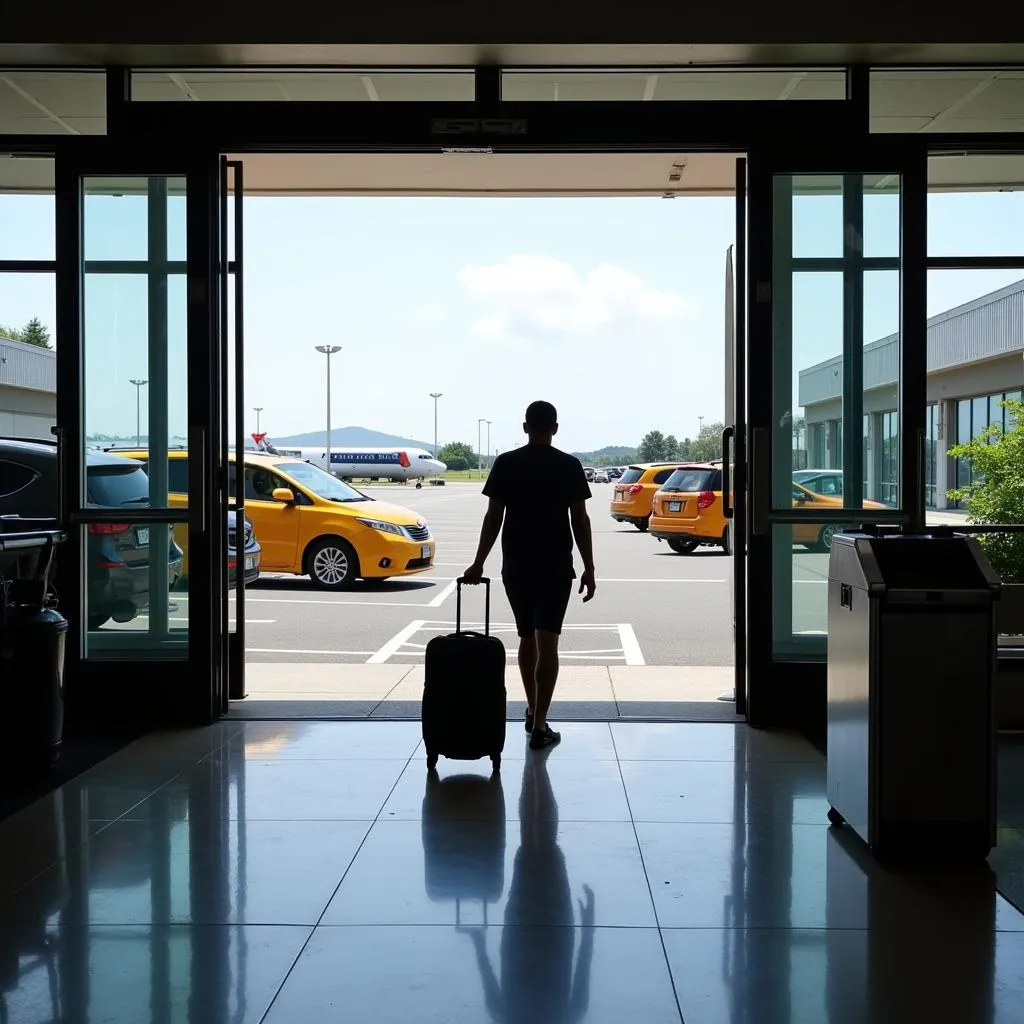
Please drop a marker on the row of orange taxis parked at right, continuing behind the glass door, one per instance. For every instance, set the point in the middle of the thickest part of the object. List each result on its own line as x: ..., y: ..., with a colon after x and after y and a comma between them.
x: 682, y: 504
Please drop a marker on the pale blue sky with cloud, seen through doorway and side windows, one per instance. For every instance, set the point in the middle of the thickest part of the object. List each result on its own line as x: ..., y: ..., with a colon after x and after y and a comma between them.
x: 612, y: 309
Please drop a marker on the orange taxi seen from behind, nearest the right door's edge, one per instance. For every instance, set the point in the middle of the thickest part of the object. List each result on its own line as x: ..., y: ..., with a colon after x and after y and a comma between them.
x: 689, y: 509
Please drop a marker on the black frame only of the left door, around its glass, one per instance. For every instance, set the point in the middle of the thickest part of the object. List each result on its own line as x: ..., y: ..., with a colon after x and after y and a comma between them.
x: 184, y: 691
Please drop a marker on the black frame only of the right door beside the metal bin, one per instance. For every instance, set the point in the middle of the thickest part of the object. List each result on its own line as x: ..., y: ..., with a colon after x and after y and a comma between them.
x: 793, y: 691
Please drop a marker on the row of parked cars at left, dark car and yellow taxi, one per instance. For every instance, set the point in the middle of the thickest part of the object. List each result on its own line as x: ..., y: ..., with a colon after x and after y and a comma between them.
x: 300, y: 520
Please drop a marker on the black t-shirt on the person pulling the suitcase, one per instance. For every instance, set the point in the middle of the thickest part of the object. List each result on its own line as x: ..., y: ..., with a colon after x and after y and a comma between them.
x: 537, y: 484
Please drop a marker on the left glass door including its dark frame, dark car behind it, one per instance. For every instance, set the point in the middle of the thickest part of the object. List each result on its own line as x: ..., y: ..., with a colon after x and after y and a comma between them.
x: 134, y: 432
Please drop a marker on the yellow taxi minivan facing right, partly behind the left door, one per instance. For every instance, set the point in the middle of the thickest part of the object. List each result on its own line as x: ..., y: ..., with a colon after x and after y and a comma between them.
x: 311, y: 524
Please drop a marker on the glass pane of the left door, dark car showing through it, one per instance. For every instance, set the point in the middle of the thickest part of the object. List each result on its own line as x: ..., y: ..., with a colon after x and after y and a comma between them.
x: 136, y: 409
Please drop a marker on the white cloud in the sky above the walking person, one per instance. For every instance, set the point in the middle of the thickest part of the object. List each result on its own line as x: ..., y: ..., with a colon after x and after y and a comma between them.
x: 542, y: 295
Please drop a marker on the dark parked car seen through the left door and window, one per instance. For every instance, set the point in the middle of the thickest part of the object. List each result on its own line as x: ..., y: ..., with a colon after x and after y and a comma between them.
x: 117, y: 554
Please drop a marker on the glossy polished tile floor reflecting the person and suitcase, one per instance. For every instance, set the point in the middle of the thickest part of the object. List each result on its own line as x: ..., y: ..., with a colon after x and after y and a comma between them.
x: 307, y: 873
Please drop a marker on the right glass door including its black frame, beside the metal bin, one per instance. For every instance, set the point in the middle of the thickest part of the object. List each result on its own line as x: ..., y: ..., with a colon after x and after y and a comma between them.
x: 829, y: 436
